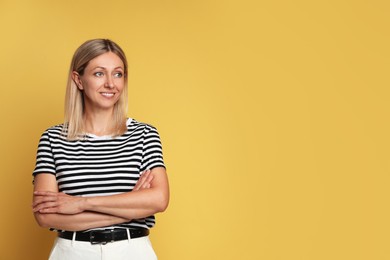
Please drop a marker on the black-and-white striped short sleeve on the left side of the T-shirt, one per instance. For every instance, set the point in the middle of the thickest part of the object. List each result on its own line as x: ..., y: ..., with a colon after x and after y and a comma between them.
x: 45, y: 160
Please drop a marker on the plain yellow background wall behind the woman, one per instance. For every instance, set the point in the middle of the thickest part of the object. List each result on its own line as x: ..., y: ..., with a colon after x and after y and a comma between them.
x: 273, y: 117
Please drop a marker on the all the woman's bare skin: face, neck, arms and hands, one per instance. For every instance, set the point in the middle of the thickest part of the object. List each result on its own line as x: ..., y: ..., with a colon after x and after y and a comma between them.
x: 55, y: 209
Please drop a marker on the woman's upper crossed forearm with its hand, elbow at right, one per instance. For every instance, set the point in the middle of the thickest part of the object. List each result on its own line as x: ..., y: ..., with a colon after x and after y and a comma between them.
x: 138, y: 203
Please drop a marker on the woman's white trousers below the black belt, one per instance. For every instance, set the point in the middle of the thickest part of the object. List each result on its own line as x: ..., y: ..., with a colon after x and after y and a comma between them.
x: 135, y: 249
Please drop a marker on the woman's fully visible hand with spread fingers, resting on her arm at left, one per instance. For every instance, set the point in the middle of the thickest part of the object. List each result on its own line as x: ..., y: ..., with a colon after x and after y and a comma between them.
x: 57, y: 202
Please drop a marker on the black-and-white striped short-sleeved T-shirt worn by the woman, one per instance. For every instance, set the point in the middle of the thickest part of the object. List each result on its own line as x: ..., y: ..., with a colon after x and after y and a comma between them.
x: 101, y: 165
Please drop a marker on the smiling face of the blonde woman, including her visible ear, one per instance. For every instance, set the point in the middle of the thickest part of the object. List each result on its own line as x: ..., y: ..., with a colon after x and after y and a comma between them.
x: 102, y: 82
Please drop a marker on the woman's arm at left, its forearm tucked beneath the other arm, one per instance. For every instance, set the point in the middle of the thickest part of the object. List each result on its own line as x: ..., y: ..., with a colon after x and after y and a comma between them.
x: 74, y: 222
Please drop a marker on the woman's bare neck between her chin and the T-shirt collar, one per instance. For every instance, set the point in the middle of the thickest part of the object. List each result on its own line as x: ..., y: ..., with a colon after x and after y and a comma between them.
x: 99, y: 123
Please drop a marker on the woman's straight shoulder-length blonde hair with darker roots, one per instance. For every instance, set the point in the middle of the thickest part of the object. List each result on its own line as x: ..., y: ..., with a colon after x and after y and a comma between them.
x: 74, y: 103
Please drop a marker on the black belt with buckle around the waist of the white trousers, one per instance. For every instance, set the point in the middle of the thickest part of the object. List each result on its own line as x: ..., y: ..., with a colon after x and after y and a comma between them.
x: 104, y: 236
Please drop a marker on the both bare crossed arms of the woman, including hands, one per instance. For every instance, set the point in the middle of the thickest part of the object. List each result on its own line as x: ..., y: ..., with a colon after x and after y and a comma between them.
x: 53, y: 209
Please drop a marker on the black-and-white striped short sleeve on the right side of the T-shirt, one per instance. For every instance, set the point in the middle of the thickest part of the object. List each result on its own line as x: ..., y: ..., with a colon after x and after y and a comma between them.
x: 152, y: 155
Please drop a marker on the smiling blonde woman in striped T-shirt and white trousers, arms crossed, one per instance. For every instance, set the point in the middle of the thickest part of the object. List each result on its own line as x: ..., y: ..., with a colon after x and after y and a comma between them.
x: 99, y: 177
